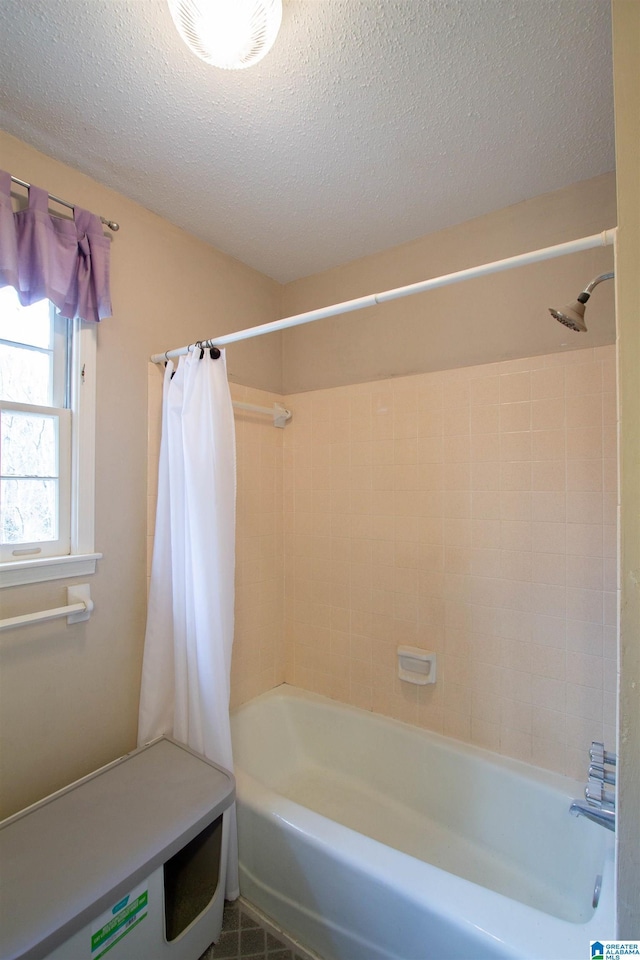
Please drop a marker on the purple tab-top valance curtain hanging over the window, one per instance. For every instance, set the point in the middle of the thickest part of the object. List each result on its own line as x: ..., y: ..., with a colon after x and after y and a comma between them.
x: 45, y: 257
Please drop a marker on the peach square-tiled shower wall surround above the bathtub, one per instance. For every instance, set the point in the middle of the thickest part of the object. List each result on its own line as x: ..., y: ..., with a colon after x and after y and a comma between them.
x: 470, y: 512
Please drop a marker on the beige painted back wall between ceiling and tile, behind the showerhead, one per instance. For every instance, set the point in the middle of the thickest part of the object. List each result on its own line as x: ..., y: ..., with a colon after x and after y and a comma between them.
x: 480, y: 321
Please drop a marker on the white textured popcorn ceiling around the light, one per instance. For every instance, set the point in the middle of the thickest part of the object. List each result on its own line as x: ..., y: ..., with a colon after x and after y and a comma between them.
x: 371, y: 122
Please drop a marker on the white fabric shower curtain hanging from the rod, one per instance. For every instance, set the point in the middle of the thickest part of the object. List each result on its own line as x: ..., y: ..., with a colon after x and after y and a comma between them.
x: 187, y: 653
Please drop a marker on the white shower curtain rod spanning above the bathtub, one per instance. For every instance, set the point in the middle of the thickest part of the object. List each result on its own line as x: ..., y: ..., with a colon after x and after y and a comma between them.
x: 604, y: 239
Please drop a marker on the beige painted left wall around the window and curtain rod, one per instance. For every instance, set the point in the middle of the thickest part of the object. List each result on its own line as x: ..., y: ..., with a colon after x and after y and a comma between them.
x: 69, y: 695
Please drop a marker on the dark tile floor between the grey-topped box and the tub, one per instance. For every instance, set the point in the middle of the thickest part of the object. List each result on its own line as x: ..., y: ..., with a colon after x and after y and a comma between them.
x: 244, y: 937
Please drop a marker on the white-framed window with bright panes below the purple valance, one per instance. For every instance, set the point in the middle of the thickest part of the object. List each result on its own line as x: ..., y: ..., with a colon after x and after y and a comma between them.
x: 47, y: 401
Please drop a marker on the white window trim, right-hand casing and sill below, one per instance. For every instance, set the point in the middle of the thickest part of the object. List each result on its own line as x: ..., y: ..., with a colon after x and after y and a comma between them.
x: 82, y: 558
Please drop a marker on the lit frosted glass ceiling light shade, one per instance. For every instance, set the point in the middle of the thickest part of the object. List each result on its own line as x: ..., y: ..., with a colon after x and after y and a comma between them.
x: 231, y: 34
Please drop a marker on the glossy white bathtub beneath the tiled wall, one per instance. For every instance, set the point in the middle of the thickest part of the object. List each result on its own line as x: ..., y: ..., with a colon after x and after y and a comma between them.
x: 368, y: 839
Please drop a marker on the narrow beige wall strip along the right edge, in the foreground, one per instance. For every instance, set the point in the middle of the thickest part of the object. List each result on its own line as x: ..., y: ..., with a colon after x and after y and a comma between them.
x: 626, y: 51
